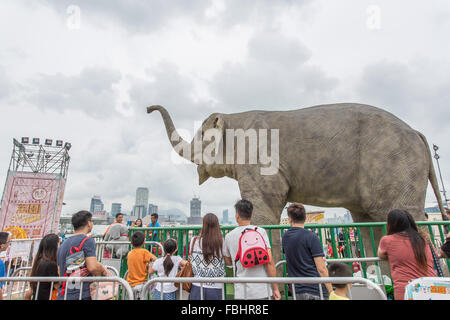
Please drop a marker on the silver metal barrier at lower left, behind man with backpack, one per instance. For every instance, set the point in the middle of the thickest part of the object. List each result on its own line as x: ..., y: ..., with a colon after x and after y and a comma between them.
x: 53, y: 280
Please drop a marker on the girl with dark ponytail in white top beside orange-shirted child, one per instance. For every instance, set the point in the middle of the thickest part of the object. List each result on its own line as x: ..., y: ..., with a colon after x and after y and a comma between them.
x: 167, y: 266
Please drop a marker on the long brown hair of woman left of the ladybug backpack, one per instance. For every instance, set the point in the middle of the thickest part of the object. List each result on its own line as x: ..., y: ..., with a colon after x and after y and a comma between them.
x: 211, y: 237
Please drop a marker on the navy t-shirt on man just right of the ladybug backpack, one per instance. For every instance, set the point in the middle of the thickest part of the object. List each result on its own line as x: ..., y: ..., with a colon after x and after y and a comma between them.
x: 301, y: 246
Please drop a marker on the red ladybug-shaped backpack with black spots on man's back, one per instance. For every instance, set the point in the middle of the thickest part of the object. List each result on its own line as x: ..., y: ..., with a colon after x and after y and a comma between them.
x: 252, y: 249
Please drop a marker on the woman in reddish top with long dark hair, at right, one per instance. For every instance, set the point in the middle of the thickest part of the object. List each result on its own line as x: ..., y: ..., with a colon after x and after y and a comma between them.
x: 406, y: 250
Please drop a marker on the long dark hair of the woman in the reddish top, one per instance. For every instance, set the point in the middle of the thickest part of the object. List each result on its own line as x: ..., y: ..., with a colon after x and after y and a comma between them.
x: 402, y: 223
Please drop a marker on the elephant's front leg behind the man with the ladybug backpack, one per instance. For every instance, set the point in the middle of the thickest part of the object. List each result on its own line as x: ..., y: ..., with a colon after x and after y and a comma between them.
x: 268, y: 194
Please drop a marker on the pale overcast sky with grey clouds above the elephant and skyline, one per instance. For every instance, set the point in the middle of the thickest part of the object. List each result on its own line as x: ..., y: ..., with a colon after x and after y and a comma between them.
x: 85, y: 71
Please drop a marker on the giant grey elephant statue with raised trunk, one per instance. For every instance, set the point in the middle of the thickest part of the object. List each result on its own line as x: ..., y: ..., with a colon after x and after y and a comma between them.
x: 348, y: 155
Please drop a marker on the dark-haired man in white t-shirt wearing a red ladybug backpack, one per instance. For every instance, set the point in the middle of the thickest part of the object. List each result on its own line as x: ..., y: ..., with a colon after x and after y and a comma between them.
x: 244, y: 210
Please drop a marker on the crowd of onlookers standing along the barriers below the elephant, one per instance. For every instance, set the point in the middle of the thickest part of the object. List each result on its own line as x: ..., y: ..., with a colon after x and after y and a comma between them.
x: 247, y: 249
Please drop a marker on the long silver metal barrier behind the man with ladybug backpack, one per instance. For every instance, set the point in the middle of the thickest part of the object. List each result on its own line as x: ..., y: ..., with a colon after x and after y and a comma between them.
x: 268, y: 281
